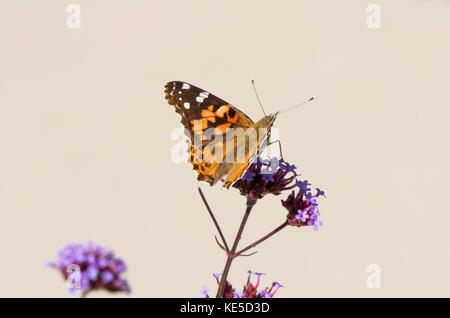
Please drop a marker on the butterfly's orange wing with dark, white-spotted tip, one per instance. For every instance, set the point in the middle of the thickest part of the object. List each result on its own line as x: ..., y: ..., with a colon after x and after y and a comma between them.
x: 200, y: 111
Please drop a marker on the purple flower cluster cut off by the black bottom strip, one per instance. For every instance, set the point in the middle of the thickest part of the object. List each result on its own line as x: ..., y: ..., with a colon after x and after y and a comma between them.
x: 249, y: 291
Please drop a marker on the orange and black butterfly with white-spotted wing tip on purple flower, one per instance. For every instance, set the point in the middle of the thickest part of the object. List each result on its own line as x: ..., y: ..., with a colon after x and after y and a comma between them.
x: 204, y: 114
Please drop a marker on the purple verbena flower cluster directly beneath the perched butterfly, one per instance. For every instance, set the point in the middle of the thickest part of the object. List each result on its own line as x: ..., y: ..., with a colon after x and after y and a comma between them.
x: 266, y: 176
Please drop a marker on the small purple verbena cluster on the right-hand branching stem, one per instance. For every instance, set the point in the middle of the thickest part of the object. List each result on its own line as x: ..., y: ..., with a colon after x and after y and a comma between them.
x: 303, y: 209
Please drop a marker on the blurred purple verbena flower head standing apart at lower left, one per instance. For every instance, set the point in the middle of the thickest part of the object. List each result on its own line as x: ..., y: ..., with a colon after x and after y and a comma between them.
x: 90, y: 267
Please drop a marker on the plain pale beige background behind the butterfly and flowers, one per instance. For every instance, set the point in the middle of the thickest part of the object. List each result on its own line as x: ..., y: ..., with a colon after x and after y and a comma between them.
x: 85, y: 141
